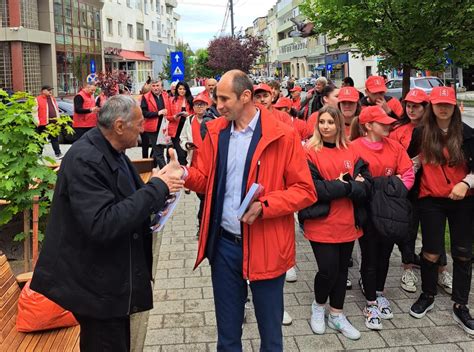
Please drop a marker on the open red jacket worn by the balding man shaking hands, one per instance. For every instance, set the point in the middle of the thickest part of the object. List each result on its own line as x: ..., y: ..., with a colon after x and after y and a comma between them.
x: 269, y: 243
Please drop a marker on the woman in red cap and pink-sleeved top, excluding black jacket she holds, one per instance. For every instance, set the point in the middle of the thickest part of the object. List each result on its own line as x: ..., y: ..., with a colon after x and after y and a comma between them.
x: 385, y: 158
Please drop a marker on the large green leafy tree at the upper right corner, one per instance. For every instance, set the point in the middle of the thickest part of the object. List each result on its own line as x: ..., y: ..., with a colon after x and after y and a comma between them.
x: 408, y: 34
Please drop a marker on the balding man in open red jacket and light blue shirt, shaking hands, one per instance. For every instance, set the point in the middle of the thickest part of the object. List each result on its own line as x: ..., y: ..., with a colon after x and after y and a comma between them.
x: 248, y: 145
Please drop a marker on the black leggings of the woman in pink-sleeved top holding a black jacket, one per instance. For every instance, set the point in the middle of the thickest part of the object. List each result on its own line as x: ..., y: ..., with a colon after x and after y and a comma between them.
x: 375, y: 253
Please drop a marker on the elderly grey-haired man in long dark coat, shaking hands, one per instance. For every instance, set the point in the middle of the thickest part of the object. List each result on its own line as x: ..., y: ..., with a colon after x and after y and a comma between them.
x: 97, y: 256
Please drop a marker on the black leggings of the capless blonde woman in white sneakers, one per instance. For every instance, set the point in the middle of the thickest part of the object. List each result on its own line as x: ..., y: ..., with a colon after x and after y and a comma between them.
x: 330, y: 280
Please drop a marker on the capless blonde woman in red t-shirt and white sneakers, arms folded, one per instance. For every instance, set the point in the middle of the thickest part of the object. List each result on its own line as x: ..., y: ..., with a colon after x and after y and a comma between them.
x: 332, y: 236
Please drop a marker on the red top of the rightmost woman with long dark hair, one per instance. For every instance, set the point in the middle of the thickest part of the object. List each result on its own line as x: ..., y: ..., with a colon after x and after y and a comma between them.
x: 439, y: 180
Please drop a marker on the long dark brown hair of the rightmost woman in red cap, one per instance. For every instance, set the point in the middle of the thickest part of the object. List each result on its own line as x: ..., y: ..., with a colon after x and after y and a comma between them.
x: 433, y: 140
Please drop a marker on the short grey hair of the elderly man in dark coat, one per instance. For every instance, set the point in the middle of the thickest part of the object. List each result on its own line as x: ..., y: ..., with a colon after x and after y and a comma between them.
x: 115, y: 107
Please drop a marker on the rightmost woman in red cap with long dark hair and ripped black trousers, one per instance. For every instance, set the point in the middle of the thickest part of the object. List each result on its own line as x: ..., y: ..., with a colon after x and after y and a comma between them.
x: 444, y: 148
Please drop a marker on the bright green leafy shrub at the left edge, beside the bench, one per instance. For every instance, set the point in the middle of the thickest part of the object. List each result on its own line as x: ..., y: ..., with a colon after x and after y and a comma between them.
x: 23, y: 170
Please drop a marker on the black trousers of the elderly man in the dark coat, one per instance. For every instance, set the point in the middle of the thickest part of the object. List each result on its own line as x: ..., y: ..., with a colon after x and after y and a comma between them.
x: 110, y: 335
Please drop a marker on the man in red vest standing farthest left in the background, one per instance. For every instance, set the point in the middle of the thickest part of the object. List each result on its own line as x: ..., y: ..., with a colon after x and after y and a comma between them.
x: 46, y: 111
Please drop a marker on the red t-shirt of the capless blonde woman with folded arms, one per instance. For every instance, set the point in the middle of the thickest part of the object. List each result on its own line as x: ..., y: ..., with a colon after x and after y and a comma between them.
x: 339, y: 225
